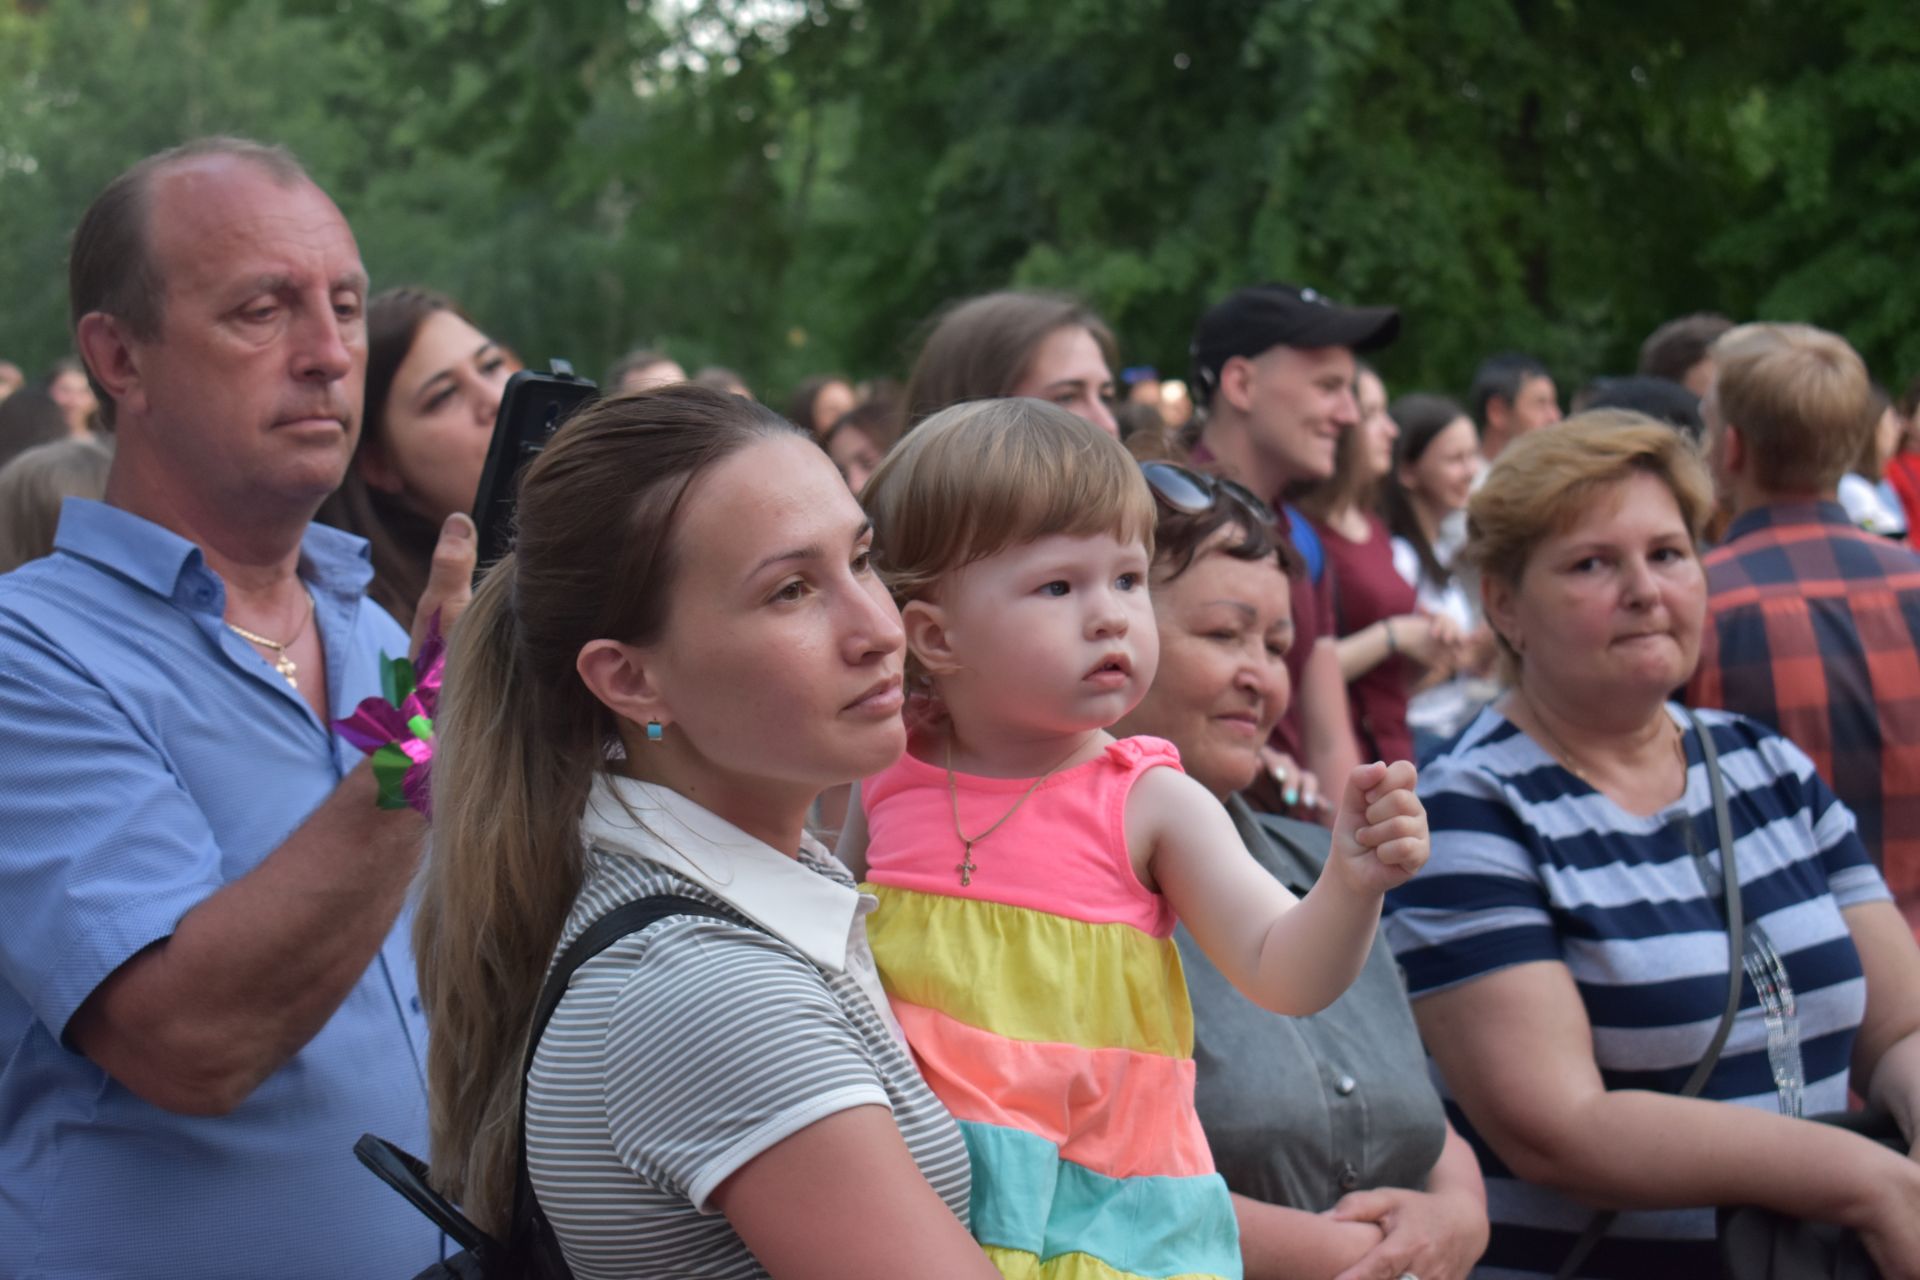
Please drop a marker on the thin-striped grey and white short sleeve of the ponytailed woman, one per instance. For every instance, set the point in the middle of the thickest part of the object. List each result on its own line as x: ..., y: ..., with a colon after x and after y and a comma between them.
x: 721, y: 1047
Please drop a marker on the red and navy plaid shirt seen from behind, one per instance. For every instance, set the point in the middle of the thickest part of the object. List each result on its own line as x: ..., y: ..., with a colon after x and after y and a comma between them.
x: 1813, y: 628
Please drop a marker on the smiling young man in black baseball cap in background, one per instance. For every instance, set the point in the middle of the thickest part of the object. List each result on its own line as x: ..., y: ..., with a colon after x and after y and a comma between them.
x: 1274, y: 379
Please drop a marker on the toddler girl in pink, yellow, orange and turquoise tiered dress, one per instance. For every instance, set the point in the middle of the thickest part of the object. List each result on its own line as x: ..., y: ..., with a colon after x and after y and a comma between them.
x: 1030, y: 868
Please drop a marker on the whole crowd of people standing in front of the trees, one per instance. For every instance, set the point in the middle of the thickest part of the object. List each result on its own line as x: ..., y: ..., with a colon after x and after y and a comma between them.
x: 1652, y: 644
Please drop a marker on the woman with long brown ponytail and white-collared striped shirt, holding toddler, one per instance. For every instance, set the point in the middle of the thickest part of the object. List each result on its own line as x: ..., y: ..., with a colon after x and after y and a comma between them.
x: 684, y: 650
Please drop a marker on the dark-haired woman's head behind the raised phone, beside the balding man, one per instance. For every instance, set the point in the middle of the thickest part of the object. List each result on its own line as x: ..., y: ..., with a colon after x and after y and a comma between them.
x: 433, y: 392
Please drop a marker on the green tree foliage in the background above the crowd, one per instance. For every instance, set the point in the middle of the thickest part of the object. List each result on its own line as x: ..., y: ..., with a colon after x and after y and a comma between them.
x: 798, y: 185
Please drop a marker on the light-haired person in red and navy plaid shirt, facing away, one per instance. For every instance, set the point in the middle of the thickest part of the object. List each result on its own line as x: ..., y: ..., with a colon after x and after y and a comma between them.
x: 1813, y: 627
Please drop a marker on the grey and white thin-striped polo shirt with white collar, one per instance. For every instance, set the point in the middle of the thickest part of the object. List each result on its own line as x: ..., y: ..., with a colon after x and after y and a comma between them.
x: 688, y: 1049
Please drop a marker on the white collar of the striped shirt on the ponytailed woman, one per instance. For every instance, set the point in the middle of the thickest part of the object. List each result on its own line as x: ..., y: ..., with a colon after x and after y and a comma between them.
x: 790, y: 901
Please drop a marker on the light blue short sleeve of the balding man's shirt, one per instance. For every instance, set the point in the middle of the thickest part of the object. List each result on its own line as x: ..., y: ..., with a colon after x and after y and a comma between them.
x: 103, y: 847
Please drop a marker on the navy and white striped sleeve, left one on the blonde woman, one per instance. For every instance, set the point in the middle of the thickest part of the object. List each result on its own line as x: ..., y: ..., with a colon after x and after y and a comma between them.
x: 1479, y: 905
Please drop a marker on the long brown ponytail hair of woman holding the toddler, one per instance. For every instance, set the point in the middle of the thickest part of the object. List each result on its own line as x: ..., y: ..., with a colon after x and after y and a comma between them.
x: 521, y: 740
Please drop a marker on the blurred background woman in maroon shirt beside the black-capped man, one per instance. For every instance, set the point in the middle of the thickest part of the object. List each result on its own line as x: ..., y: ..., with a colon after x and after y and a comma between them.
x: 1387, y: 646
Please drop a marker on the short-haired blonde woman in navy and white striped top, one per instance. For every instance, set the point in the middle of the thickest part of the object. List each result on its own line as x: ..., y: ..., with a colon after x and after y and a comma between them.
x: 1568, y: 949
